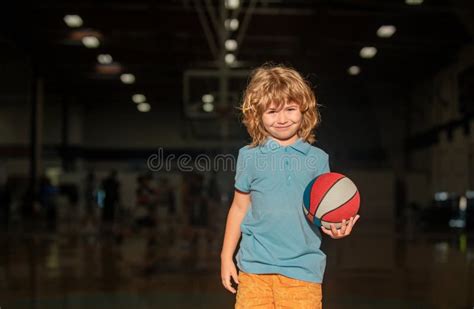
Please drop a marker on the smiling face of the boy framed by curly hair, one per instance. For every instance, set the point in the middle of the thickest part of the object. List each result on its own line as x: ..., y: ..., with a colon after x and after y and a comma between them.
x: 283, y: 123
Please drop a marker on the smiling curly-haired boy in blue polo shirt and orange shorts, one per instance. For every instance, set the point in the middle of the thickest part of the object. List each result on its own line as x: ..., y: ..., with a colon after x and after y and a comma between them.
x: 280, y: 261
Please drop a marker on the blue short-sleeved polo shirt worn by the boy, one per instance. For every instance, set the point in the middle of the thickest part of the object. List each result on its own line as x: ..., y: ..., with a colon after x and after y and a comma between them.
x: 276, y: 236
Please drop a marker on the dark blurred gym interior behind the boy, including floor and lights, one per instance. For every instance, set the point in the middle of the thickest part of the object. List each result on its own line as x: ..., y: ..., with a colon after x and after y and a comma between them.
x: 99, y: 100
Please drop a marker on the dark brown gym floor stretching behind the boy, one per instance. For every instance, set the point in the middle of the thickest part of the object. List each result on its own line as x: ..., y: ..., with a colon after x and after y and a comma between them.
x: 105, y: 270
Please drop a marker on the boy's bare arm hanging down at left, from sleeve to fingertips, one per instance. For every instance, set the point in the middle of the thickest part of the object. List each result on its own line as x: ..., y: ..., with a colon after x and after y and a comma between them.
x: 237, y: 211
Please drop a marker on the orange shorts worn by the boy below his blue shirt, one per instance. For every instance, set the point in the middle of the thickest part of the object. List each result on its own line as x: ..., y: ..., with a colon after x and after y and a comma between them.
x: 277, y: 291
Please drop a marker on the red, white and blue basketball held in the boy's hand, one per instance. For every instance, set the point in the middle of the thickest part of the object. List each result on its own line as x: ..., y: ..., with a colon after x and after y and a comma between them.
x: 330, y: 198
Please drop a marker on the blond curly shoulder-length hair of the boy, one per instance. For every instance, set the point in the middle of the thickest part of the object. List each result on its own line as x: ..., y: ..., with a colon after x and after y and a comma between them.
x: 280, y: 85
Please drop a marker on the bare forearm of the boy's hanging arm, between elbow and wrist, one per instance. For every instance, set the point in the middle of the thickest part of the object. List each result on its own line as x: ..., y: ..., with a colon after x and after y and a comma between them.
x: 232, y: 231
